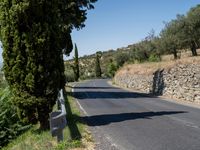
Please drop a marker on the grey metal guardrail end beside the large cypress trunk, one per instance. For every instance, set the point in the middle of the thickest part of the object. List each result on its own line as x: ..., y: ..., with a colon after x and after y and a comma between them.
x: 58, y: 118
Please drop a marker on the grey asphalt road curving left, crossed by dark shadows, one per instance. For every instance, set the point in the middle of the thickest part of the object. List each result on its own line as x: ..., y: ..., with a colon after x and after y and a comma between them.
x: 126, y: 120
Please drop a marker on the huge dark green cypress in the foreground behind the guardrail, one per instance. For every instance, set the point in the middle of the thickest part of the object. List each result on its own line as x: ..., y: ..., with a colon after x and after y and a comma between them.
x: 34, y: 35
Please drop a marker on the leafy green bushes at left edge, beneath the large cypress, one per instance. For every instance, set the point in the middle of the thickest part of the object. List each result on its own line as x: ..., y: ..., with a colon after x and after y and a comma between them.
x: 10, y: 124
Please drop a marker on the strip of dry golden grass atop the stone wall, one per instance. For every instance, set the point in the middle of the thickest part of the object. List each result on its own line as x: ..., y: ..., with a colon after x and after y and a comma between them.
x: 150, y: 67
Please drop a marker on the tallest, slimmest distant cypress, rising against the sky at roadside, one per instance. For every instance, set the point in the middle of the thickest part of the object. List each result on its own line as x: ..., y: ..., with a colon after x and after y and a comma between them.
x: 76, y: 64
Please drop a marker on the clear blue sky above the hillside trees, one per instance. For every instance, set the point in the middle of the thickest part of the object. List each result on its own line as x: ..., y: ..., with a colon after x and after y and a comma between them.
x: 117, y: 23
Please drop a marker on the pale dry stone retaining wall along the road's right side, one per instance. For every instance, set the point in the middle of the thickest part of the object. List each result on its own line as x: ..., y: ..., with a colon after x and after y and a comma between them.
x: 181, y: 82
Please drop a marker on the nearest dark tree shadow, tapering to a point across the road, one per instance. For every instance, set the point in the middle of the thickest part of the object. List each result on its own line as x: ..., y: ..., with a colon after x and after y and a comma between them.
x: 100, y: 120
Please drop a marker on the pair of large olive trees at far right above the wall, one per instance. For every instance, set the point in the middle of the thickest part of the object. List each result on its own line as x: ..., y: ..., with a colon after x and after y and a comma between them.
x: 183, y: 32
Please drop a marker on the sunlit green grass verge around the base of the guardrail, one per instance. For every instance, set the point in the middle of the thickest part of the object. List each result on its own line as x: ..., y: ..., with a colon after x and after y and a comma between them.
x: 76, y: 134
